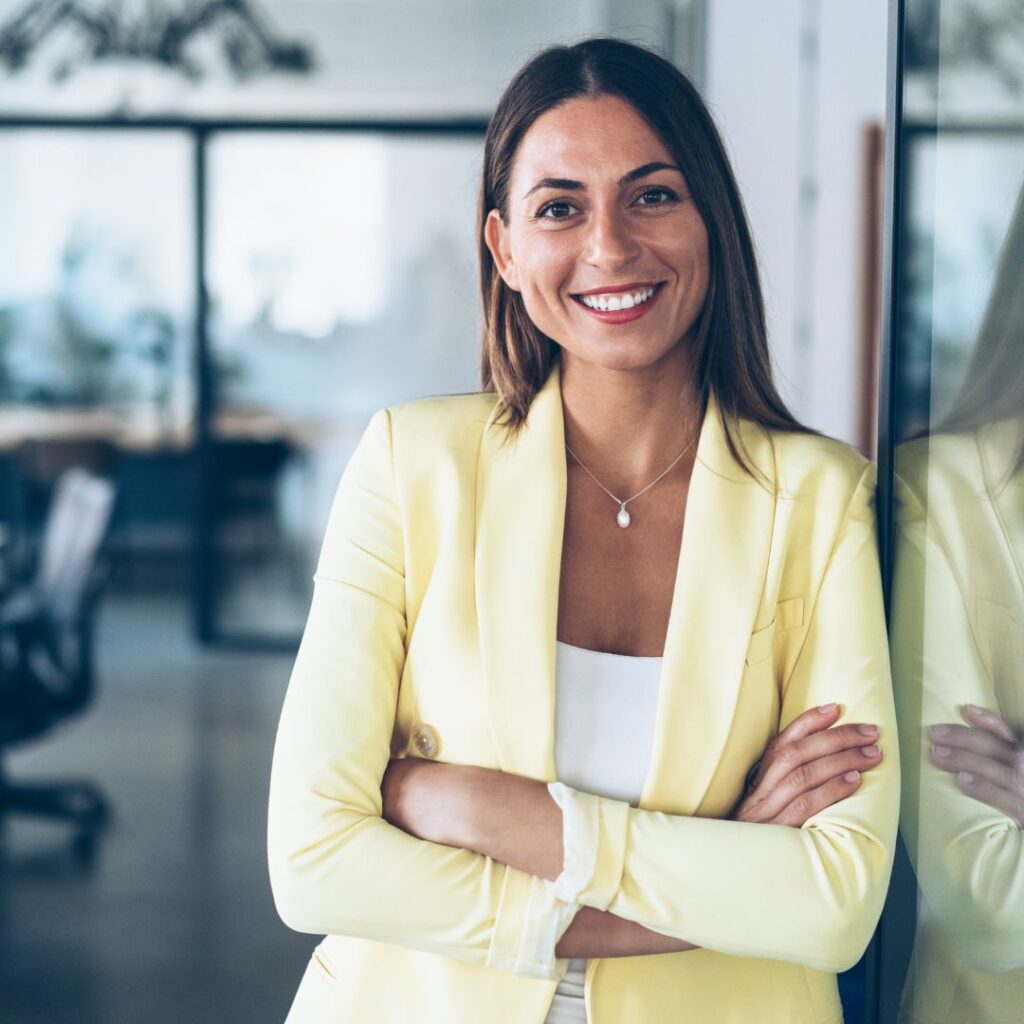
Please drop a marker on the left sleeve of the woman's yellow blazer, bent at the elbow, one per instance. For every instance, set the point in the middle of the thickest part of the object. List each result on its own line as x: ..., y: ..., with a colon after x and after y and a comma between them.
x: 336, y: 866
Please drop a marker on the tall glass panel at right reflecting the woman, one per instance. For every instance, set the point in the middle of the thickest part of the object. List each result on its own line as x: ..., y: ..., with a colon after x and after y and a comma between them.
x: 958, y: 598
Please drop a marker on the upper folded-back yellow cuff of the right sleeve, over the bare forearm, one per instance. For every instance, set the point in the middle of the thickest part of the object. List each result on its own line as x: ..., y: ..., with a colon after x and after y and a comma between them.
x: 594, y: 834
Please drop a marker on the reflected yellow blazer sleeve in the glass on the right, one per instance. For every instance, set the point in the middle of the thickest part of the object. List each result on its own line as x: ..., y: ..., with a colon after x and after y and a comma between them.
x: 969, y: 857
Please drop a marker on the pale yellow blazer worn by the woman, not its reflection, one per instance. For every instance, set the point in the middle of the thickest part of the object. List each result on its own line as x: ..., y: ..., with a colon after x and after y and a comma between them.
x: 433, y: 633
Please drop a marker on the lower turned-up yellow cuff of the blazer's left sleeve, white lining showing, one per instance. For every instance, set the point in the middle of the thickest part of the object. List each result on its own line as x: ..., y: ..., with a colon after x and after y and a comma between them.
x: 530, y: 923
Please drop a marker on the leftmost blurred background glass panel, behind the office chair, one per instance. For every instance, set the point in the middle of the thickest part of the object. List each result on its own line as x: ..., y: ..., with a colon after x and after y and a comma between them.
x: 97, y: 323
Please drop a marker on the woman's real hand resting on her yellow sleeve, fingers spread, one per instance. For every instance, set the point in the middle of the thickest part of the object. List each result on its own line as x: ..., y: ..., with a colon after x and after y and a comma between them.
x: 807, y: 767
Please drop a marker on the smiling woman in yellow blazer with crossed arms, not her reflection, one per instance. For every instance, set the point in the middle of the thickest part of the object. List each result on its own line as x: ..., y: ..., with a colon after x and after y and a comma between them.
x: 506, y: 588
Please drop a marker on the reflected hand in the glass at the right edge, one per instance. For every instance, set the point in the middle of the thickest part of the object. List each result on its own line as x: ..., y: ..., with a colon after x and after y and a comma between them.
x: 987, y: 757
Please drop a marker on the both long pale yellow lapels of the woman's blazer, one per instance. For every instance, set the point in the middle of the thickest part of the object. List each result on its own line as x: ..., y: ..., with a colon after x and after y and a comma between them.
x: 521, y: 517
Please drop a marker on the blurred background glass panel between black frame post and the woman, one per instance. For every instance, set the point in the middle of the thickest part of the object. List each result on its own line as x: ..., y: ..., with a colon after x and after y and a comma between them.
x: 354, y: 288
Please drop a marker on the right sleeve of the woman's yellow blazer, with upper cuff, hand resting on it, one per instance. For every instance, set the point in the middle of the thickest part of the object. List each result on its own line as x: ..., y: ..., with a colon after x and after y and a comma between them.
x: 810, y: 895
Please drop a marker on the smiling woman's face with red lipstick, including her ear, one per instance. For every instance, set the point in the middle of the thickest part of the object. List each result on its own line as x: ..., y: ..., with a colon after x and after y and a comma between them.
x: 601, y: 218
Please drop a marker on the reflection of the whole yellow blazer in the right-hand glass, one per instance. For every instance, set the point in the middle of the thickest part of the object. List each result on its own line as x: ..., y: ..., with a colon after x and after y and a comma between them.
x: 959, y: 638
